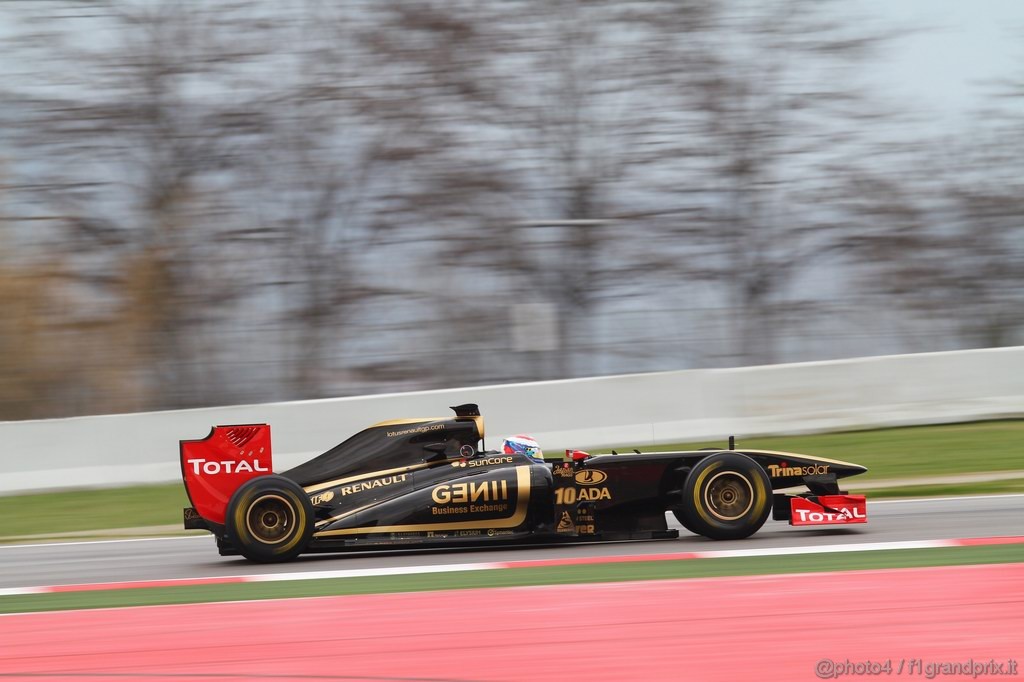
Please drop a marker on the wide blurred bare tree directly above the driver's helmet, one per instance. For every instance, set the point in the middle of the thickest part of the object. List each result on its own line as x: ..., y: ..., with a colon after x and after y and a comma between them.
x: 550, y: 107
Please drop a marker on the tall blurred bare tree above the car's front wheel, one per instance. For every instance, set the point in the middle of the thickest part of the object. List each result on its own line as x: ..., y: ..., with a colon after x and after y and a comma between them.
x: 781, y: 122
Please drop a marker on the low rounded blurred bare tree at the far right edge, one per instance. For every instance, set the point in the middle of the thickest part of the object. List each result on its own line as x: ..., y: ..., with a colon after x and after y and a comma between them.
x: 945, y: 240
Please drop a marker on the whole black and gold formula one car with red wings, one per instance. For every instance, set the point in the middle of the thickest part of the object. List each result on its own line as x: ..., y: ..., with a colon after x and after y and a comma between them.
x: 430, y: 483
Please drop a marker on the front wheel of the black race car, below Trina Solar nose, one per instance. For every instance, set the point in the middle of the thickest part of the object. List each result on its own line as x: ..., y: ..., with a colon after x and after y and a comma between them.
x: 727, y: 496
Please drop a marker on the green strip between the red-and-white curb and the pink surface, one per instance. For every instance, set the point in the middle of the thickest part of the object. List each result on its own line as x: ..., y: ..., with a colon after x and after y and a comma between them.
x: 646, y: 571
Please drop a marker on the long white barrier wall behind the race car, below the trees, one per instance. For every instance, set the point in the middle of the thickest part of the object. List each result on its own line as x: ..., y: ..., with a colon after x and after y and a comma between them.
x: 629, y: 410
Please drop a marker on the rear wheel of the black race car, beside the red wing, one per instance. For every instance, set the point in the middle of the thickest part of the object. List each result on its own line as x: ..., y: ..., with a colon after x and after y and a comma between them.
x: 270, y: 519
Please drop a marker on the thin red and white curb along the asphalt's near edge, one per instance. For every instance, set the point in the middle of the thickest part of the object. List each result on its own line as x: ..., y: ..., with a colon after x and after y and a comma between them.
x: 535, y: 564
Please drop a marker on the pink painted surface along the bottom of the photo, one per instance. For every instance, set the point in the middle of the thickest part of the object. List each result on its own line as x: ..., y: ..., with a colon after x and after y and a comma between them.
x: 770, y: 627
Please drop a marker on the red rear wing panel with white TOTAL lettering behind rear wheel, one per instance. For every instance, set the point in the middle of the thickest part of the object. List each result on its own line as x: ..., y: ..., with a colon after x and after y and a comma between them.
x: 215, y: 467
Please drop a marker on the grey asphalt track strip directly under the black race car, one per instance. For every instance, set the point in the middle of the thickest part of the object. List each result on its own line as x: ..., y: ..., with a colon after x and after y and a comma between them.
x: 103, y: 562
